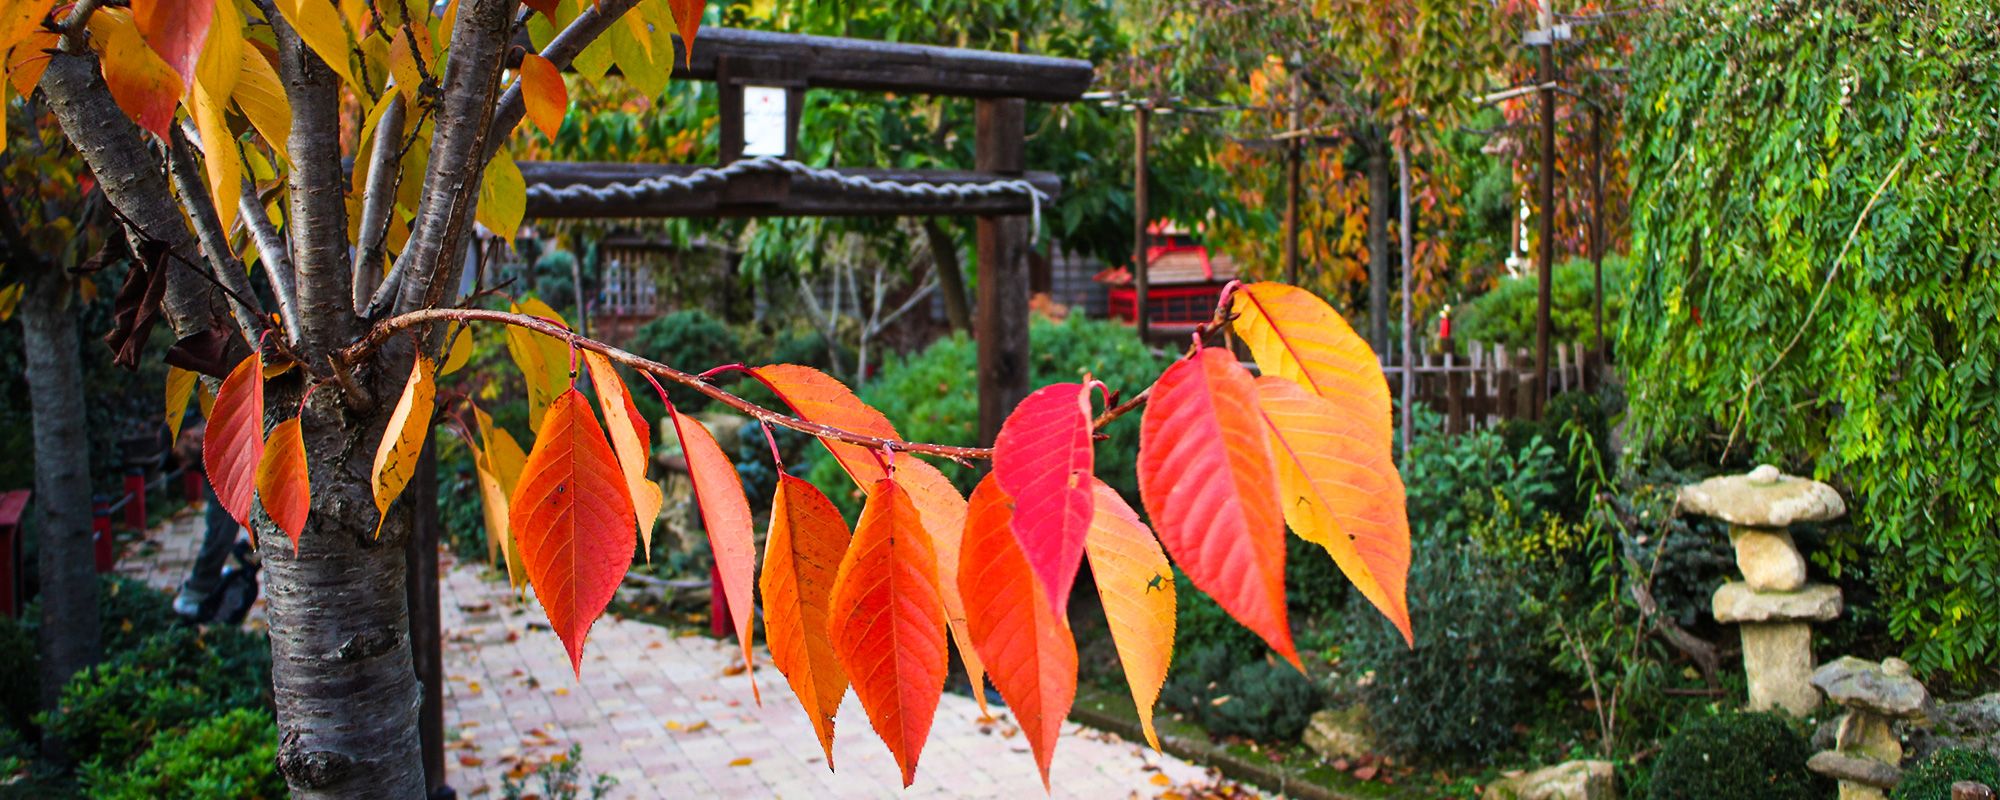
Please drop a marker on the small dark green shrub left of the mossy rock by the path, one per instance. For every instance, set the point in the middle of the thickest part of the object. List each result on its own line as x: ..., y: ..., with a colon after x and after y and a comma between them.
x: 1259, y: 699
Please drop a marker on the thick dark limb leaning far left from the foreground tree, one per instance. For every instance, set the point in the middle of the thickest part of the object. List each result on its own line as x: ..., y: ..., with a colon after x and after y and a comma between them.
x: 133, y: 181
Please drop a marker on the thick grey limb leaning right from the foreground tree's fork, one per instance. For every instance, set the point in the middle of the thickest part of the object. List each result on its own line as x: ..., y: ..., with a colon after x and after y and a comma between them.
x: 457, y: 153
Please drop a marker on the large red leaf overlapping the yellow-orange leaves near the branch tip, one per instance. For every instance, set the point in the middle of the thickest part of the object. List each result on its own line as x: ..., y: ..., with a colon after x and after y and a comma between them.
x: 1209, y: 483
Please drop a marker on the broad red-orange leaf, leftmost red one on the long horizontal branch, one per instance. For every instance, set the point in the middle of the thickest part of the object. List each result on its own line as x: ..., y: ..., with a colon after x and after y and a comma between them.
x: 573, y: 521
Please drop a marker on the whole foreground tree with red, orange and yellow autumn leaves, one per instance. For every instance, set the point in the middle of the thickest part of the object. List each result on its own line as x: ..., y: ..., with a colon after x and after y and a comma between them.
x: 221, y: 133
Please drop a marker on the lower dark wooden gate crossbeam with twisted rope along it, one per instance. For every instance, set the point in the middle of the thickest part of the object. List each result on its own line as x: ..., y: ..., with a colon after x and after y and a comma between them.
x: 775, y: 197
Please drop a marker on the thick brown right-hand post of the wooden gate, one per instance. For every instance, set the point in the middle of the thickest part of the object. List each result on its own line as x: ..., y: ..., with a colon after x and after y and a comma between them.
x: 1003, y: 241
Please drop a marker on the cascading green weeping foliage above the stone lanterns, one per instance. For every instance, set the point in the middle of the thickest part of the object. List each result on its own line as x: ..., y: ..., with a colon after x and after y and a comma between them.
x: 1757, y: 223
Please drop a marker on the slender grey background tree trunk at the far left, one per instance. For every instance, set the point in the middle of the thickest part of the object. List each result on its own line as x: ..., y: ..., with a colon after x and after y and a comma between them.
x: 61, y: 483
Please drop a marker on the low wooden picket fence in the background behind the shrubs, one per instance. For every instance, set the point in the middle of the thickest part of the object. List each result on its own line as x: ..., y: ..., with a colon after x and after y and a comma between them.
x: 1491, y: 383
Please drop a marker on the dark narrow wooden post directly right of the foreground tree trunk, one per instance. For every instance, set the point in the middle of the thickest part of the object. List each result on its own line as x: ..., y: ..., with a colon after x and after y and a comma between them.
x: 427, y: 639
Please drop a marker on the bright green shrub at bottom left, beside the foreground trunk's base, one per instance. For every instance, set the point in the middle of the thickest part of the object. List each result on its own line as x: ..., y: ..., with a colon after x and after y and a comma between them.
x: 229, y: 757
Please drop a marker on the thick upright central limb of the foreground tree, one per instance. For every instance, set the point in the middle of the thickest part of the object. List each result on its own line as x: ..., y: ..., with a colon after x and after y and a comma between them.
x: 317, y: 185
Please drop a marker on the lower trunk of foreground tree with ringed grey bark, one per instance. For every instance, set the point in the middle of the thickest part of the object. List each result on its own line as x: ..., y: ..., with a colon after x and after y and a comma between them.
x: 343, y: 679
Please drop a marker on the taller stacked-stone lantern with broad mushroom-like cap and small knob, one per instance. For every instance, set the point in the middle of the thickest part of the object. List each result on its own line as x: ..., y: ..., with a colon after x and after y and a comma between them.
x: 1773, y: 605
